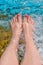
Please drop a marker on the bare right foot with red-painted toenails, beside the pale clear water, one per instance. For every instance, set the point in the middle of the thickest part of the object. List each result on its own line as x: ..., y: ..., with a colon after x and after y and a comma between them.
x: 28, y: 27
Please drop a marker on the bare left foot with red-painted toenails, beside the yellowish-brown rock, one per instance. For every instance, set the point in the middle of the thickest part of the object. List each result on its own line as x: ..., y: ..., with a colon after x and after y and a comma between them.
x: 16, y: 26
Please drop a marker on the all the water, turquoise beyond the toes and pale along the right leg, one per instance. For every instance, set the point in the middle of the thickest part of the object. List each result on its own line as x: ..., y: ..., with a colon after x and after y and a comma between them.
x: 33, y: 8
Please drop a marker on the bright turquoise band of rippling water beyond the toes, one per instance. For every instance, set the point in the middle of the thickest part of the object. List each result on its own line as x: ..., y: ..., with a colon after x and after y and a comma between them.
x: 12, y: 7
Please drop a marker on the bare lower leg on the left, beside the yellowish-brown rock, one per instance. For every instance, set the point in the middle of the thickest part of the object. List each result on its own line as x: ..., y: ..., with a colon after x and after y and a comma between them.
x: 9, y: 57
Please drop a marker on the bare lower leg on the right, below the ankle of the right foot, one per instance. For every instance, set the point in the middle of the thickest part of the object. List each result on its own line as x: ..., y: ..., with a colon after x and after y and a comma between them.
x: 31, y: 56
